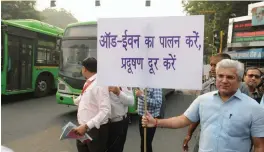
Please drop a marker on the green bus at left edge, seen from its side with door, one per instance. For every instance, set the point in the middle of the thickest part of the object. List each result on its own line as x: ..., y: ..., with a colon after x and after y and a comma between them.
x: 29, y: 57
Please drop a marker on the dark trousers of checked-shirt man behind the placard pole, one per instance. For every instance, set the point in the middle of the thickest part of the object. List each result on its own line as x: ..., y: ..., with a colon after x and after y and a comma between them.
x: 150, y: 136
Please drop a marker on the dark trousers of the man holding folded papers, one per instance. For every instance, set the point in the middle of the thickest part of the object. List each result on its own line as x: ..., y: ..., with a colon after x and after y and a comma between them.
x: 99, y: 142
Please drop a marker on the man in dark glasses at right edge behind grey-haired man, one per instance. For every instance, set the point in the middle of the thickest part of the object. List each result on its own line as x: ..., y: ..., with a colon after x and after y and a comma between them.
x: 253, y: 78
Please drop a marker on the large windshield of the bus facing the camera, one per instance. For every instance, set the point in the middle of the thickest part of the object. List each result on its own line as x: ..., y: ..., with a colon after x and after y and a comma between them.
x: 73, y: 52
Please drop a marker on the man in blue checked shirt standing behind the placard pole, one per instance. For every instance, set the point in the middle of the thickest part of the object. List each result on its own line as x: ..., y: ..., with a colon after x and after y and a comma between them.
x: 154, y: 102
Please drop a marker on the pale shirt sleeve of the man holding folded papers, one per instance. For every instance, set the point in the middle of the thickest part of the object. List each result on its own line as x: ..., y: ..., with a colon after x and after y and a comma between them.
x: 101, y: 94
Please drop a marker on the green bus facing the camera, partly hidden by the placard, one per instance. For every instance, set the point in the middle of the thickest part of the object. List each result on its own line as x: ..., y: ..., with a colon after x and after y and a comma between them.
x: 78, y: 42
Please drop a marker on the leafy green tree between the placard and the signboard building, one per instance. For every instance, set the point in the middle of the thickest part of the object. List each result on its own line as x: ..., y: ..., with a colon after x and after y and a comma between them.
x: 217, y: 16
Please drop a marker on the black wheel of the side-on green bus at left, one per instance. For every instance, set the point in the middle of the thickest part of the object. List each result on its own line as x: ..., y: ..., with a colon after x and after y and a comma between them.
x: 43, y: 86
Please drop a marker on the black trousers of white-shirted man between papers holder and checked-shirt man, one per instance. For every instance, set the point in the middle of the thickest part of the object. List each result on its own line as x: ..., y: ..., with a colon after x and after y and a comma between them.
x: 117, y: 135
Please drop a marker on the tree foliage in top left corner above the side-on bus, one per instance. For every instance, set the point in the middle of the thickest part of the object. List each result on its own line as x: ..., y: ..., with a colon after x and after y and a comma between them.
x: 19, y: 10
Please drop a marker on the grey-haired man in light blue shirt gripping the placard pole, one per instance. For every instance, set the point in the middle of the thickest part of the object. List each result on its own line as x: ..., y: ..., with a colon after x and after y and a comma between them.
x: 229, y: 119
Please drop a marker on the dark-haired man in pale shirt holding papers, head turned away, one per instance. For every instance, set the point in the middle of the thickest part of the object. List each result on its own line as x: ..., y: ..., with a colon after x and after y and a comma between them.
x: 94, y: 109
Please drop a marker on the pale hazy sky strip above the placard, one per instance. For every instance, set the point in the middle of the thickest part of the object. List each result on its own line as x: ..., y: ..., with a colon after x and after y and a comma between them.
x: 85, y: 10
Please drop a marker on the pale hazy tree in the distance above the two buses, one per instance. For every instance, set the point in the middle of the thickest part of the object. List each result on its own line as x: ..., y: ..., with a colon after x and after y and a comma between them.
x: 60, y: 18
